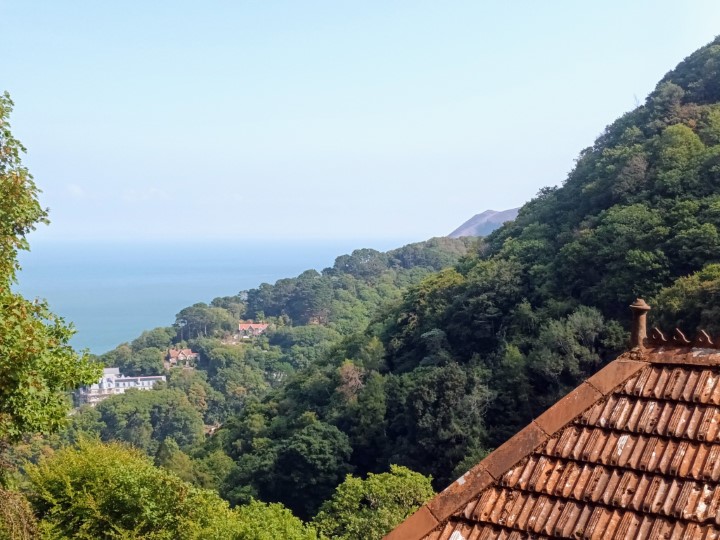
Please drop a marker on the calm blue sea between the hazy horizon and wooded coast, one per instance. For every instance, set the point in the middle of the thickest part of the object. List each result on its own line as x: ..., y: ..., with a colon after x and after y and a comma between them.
x: 112, y: 291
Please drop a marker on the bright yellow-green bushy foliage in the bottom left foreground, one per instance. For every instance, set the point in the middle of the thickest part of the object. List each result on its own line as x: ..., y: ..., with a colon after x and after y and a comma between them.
x: 110, y: 491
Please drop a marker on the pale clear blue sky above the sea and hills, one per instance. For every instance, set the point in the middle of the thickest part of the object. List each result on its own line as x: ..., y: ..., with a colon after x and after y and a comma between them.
x: 320, y: 119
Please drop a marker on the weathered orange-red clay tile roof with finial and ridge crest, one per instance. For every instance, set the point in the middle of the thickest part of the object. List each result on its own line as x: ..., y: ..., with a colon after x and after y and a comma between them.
x: 633, y: 452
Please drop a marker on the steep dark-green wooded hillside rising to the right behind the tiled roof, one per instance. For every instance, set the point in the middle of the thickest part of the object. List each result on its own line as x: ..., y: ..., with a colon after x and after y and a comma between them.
x: 474, y: 352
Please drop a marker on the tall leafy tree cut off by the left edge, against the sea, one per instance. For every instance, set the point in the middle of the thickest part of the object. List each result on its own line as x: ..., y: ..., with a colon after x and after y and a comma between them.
x: 37, y: 365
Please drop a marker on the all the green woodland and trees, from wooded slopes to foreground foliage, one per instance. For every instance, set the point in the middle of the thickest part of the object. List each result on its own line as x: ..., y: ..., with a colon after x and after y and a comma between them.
x: 380, y: 379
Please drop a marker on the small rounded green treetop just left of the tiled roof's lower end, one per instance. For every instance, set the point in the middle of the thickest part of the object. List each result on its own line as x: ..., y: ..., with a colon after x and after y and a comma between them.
x: 368, y: 509
